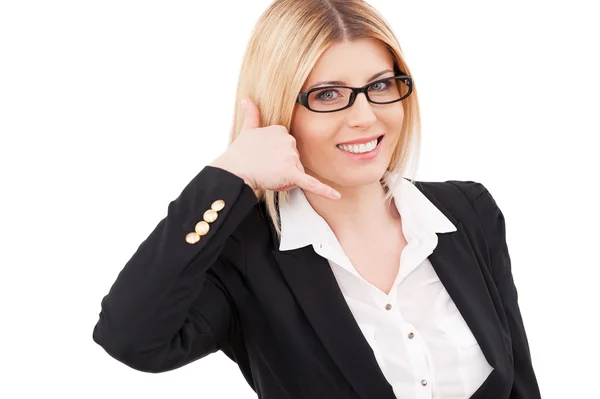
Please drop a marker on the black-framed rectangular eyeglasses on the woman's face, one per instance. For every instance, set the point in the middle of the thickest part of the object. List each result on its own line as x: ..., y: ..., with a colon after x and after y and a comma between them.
x: 337, y: 98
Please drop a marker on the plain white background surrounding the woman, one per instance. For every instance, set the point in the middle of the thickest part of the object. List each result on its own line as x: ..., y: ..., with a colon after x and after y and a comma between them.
x: 108, y: 109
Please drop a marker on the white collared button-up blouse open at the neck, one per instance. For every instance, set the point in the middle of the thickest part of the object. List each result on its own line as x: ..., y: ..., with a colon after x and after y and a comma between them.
x: 421, y: 342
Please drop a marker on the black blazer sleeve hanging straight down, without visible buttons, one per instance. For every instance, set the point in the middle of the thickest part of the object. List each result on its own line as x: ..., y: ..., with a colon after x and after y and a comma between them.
x: 525, y: 384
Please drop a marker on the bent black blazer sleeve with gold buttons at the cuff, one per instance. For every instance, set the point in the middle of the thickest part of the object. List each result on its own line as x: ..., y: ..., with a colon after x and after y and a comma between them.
x: 167, y: 308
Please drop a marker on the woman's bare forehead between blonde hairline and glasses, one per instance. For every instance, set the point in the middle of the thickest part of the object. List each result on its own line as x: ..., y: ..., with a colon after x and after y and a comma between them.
x: 352, y: 62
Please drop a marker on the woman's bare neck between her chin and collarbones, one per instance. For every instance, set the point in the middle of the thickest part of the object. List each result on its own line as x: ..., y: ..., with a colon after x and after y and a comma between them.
x: 361, y: 209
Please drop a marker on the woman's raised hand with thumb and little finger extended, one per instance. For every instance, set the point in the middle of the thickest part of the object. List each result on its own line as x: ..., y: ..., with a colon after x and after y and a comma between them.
x: 267, y: 158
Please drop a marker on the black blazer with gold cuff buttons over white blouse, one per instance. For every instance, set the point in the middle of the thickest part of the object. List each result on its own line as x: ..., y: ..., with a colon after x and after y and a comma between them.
x: 281, y: 315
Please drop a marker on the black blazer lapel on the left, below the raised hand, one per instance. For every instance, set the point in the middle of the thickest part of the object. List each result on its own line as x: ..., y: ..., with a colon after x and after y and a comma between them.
x: 311, y: 280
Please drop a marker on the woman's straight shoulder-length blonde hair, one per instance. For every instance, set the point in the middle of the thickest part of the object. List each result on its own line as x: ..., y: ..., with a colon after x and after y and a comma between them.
x: 286, y: 43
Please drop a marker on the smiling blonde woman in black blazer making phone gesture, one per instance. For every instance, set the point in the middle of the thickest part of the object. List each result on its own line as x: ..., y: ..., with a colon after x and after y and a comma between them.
x: 304, y: 254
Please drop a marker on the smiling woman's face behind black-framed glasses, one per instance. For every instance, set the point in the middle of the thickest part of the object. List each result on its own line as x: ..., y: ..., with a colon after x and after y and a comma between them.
x: 320, y: 137
